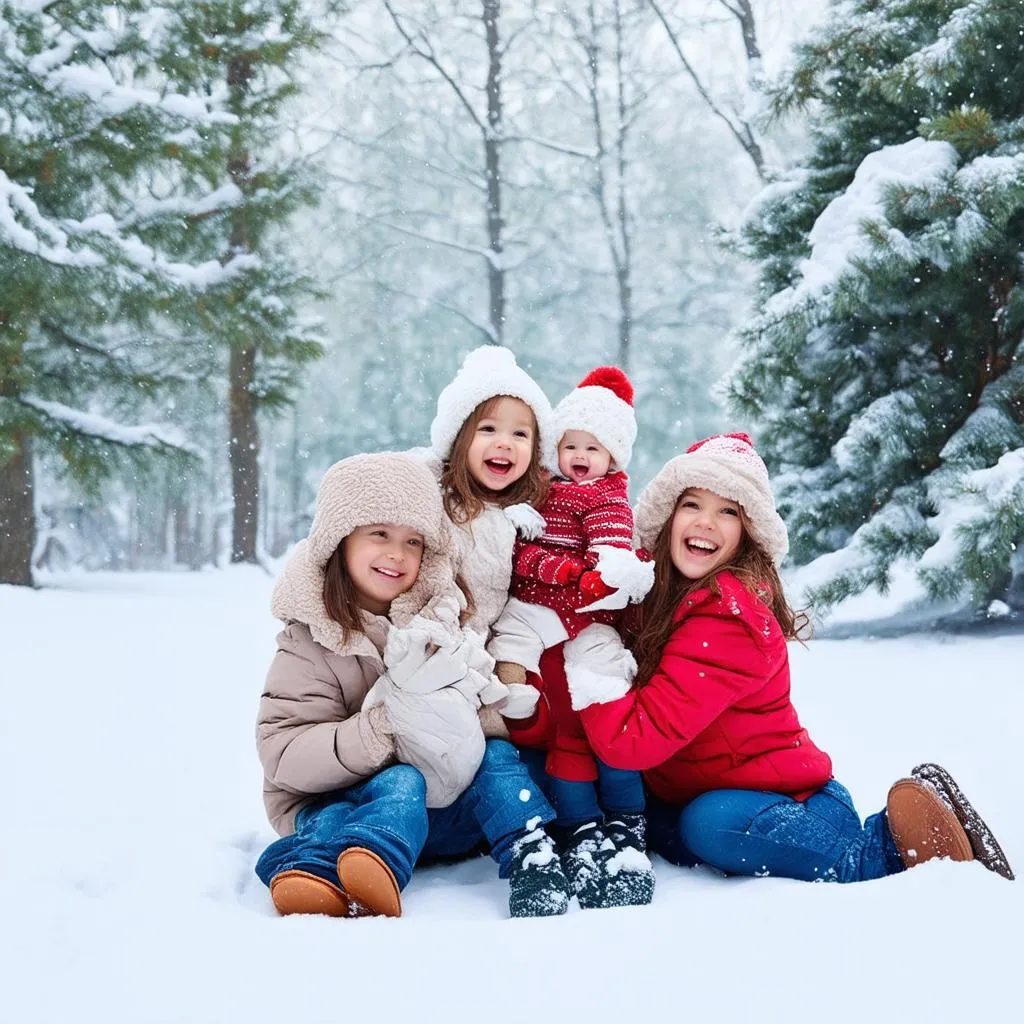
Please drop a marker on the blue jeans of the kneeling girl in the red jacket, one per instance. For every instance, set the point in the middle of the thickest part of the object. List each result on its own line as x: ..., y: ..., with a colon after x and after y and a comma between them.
x: 743, y: 832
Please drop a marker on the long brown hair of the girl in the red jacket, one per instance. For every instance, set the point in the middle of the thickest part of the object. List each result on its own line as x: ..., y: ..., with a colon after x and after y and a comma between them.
x: 752, y: 566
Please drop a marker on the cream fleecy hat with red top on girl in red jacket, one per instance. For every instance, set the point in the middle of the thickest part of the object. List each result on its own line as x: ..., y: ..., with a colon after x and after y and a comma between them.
x: 728, y: 465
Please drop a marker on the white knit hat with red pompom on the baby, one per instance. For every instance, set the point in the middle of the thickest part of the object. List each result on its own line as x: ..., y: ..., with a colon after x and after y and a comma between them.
x: 602, y: 405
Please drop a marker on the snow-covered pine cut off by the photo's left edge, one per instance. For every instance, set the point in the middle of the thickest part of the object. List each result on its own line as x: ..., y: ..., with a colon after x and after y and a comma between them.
x: 79, y: 126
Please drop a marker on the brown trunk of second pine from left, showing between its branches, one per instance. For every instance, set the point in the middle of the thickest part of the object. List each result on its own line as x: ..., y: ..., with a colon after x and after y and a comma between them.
x: 243, y: 430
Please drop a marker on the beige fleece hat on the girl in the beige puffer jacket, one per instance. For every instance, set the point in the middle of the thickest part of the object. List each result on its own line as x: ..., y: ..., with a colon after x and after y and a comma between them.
x: 388, y: 487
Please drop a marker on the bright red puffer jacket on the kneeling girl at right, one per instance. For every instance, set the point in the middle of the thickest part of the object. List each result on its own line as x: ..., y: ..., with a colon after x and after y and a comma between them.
x: 716, y: 715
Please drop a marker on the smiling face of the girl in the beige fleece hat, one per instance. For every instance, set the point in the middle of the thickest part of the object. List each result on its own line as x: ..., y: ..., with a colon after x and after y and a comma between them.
x: 383, y: 562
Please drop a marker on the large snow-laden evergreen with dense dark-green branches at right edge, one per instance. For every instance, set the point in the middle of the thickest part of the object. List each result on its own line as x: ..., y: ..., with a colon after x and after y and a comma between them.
x: 886, y: 364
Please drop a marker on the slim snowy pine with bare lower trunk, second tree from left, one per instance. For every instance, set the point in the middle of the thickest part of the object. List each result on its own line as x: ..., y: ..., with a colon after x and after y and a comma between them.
x: 244, y: 54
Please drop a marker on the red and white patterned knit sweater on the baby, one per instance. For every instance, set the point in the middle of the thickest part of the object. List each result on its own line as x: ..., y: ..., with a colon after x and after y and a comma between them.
x: 579, y: 518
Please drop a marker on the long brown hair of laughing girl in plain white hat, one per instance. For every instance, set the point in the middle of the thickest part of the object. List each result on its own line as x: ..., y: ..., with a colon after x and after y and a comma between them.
x: 464, y: 498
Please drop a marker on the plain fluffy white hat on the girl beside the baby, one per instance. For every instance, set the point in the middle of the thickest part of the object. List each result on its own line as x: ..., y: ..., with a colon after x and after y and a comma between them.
x: 487, y: 373
